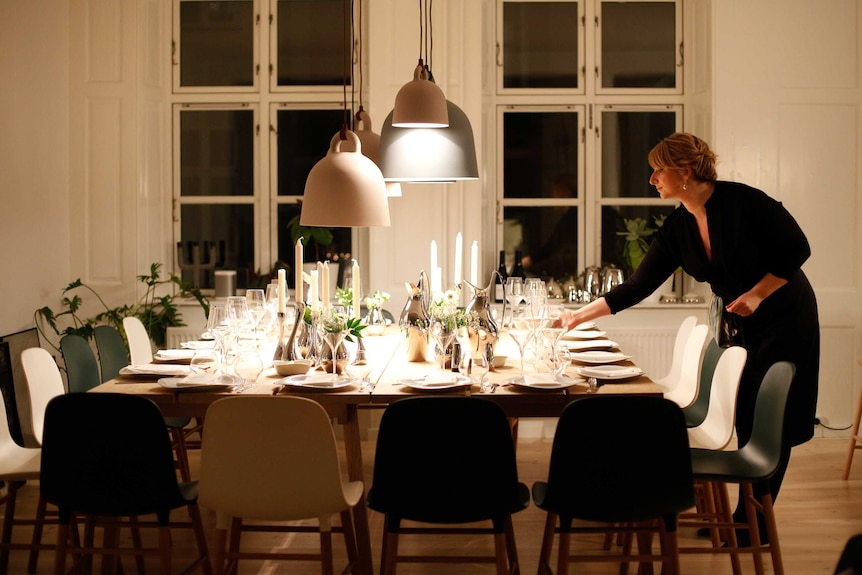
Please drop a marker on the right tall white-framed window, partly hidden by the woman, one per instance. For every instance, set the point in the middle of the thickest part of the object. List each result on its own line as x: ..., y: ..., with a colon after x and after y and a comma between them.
x: 572, y: 174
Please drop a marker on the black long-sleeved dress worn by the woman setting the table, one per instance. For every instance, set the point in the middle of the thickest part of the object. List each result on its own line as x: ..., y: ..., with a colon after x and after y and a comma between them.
x: 751, y: 235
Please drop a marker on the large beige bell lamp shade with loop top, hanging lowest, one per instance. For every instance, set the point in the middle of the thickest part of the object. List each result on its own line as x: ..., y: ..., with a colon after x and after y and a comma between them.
x: 345, y: 189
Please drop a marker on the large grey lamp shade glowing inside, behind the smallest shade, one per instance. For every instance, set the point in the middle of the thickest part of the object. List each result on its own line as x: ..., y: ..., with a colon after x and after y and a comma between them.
x: 429, y: 155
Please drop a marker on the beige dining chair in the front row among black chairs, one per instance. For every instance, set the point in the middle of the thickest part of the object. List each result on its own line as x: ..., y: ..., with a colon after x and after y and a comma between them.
x: 268, y: 460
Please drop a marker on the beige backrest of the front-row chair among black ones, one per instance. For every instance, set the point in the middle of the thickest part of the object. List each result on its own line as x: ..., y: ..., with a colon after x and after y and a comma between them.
x: 270, y: 458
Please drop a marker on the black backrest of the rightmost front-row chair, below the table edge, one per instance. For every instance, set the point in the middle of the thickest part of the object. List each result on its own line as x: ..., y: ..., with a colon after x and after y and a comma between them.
x: 620, y: 458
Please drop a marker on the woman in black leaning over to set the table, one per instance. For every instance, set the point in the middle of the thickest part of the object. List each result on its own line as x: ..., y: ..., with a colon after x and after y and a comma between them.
x: 750, y: 250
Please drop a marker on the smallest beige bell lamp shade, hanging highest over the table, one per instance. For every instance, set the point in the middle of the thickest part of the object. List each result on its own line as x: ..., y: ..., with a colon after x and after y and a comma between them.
x: 420, y: 103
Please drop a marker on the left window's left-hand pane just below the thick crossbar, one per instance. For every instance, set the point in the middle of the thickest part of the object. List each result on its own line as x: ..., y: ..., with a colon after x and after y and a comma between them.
x: 217, y: 153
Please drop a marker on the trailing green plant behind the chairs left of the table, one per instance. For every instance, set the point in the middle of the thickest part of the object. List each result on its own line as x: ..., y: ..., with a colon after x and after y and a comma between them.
x: 156, y: 312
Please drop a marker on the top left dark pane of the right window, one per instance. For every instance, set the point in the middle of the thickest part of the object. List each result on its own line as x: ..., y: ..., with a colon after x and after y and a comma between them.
x: 533, y: 57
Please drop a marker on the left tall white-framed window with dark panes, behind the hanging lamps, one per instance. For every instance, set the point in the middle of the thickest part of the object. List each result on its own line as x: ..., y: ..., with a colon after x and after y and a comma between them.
x: 252, y: 114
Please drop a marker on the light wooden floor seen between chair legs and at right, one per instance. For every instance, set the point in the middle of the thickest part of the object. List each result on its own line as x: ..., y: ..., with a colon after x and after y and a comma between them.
x: 817, y: 512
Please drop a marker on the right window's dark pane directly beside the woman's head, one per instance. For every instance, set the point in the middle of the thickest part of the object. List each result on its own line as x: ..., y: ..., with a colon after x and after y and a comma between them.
x: 628, y: 138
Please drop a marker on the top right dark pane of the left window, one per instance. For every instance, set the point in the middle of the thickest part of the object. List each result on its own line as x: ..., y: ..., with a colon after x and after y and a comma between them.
x: 311, y: 45
